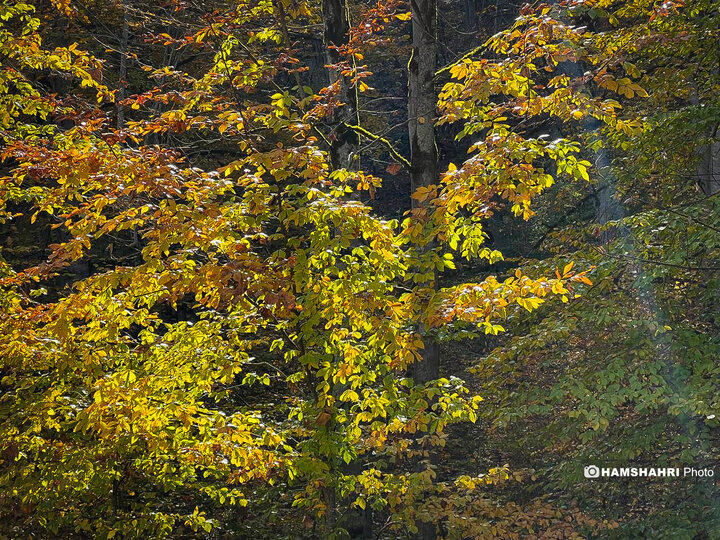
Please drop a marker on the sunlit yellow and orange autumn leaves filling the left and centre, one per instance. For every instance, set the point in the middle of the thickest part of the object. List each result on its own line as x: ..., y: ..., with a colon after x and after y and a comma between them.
x: 220, y: 336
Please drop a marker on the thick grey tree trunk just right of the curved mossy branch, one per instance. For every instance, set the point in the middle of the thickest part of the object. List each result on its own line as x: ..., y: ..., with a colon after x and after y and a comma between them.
x: 423, y: 155
